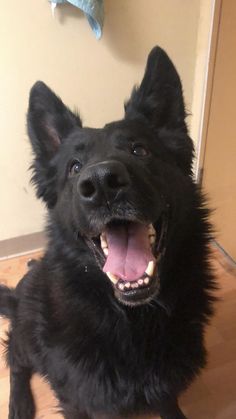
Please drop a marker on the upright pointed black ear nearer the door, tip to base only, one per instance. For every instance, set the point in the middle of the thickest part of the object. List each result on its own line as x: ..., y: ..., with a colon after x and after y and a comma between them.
x: 159, y: 98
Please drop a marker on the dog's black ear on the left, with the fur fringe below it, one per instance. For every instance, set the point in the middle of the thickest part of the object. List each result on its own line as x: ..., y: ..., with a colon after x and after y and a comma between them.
x: 49, y: 123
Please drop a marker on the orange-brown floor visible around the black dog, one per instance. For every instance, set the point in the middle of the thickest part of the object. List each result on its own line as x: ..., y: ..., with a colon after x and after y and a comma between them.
x: 212, y: 396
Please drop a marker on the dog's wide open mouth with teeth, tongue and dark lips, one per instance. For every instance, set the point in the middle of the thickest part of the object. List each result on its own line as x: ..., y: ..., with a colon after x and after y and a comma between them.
x: 130, y: 254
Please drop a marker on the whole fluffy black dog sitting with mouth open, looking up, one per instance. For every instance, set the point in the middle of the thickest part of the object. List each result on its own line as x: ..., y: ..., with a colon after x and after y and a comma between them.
x: 113, y: 314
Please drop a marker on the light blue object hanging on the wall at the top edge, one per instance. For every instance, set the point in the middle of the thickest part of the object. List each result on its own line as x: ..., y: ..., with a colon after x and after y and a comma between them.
x: 93, y: 9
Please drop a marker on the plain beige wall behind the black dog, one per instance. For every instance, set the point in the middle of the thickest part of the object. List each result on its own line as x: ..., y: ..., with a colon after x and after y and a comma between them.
x: 96, y: 76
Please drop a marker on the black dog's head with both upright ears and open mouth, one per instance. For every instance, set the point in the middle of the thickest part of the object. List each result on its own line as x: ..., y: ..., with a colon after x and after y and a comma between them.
x: 114, y: 186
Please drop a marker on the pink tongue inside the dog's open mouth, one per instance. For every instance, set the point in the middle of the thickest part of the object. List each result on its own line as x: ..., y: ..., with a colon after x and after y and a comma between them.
x: 129, y: 251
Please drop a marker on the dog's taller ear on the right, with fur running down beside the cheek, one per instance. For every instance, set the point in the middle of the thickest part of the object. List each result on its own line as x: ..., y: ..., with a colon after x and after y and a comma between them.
x: 159, y: 101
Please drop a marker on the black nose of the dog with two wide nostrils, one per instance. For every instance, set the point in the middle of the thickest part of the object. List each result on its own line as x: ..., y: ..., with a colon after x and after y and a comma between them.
x: 103, y: 180
